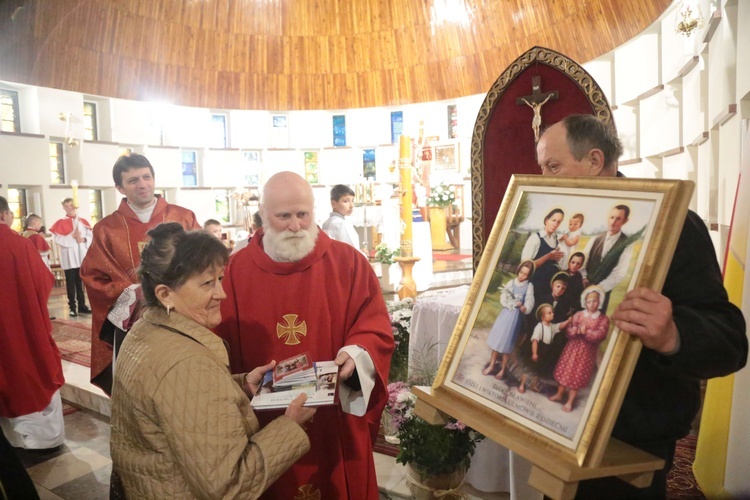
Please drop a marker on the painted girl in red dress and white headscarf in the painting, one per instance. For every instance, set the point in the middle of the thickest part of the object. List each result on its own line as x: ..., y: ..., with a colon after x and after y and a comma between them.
x: 586, y: 331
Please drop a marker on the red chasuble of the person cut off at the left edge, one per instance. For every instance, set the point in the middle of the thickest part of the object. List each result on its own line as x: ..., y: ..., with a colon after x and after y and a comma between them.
x: 30, y: 366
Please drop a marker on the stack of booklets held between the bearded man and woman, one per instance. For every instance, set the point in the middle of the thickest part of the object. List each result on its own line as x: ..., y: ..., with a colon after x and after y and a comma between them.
x: 293, y: 376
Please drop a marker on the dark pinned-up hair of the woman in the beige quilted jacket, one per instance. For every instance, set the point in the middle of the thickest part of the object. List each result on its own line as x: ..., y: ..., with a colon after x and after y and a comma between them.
x: 174, y: 255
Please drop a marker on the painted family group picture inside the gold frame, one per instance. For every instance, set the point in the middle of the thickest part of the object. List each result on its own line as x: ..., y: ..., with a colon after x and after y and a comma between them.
x: 541, y: 331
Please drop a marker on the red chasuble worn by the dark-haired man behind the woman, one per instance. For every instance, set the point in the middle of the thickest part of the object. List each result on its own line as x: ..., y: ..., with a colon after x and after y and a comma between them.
x: 111, y: 265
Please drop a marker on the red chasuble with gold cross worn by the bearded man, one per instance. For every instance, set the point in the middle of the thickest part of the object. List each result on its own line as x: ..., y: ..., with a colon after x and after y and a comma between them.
x: 329, y: 299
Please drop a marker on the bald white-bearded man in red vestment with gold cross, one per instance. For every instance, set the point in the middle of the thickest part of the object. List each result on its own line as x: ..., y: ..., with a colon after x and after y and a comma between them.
x: 294, y: 290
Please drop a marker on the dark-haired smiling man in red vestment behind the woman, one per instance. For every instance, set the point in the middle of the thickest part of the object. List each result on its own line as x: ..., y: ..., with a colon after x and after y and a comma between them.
x: 109, y: 269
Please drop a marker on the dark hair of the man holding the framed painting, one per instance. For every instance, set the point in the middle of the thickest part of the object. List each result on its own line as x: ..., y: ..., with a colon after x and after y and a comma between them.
x: 586, y: 132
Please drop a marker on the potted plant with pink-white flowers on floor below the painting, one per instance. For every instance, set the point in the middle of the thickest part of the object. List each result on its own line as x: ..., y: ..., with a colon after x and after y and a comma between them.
x: 436, y: 456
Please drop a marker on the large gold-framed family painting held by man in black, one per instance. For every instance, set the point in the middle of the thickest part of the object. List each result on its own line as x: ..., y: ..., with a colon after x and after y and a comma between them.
x: 534, y: 350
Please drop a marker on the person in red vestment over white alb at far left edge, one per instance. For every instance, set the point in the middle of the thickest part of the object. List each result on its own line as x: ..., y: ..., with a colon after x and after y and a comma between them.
x: 30, y: 366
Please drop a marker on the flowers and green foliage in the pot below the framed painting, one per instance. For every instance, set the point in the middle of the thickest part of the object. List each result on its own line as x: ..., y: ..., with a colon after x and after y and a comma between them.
x: 431, y: 450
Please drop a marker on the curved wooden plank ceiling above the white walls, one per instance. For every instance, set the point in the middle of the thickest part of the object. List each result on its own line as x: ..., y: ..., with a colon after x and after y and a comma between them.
x: 298, y: 54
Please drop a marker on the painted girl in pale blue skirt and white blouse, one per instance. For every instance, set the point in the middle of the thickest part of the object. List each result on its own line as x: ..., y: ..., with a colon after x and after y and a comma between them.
x: 517, y: 299
